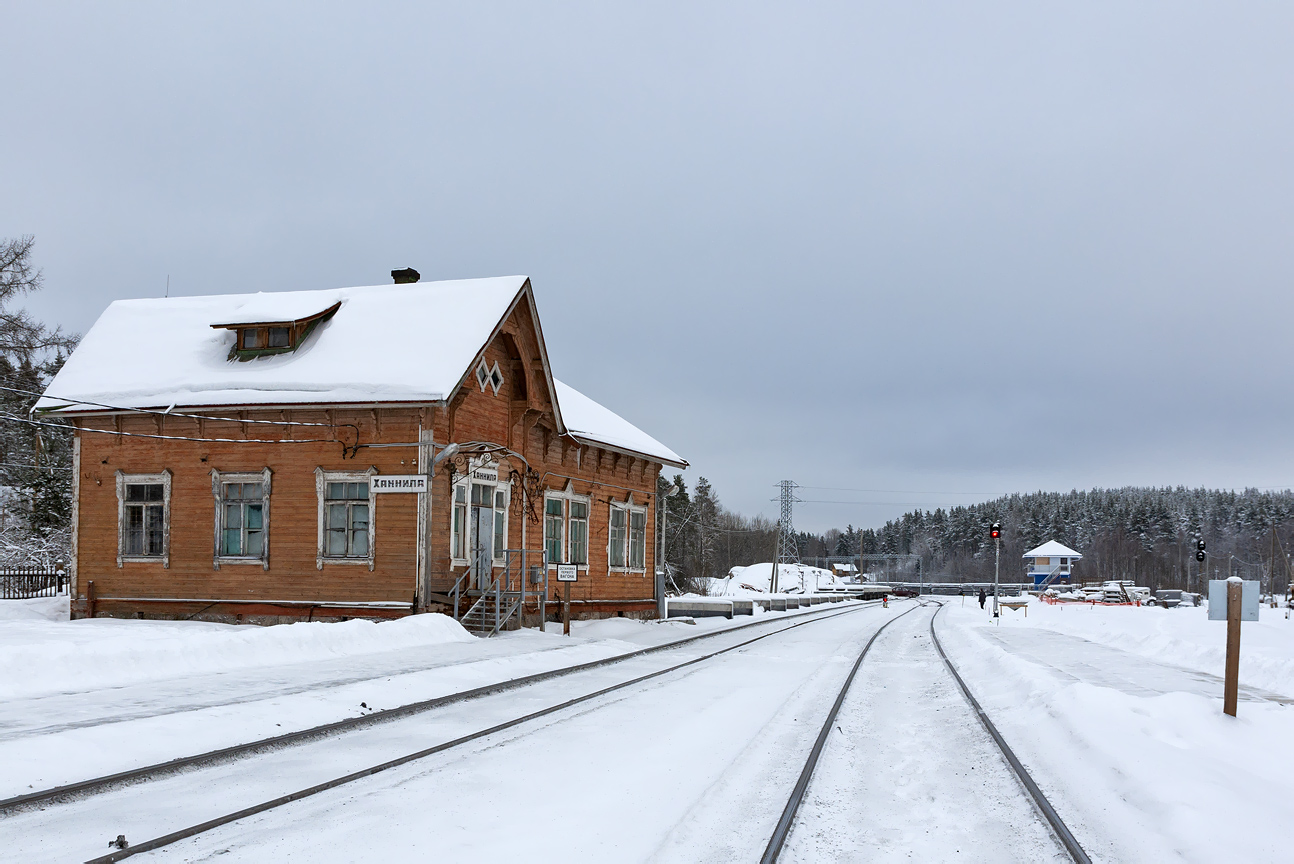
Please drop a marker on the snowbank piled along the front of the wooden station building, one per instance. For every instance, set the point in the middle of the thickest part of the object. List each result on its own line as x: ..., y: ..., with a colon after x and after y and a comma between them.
x: 42, y: 656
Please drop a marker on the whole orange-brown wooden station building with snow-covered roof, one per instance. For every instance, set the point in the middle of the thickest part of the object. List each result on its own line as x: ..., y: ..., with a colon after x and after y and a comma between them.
x: 367, y: 452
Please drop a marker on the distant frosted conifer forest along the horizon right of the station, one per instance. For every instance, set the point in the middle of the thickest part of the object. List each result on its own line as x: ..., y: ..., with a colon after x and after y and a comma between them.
x: 1134, y: 534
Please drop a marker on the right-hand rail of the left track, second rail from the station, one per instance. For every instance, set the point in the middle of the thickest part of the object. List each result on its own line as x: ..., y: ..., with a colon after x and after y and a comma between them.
x: 166, y: 840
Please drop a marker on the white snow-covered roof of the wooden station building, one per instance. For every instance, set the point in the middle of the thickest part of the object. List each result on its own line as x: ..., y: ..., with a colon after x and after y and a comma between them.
x: 388, y: 343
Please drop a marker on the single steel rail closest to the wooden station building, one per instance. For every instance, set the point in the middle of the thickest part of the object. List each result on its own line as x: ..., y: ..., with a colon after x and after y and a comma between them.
x: 235, y: 752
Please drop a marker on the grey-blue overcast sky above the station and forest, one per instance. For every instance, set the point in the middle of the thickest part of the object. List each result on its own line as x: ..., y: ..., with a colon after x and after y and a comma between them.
x: 904, y: 254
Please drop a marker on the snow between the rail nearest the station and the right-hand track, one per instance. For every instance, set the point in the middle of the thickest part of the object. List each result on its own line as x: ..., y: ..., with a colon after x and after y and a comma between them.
x: 626, y: 769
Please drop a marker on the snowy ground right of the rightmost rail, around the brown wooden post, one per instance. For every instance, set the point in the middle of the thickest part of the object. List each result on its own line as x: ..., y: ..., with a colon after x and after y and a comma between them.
x: 1117, y: 713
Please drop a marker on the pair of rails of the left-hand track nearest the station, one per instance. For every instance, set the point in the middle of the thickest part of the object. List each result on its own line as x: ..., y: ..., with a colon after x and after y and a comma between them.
x: 159, y: 843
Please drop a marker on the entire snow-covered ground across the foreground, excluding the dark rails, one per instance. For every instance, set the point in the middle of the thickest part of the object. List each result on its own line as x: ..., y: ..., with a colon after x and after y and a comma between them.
x: 1116, y: 712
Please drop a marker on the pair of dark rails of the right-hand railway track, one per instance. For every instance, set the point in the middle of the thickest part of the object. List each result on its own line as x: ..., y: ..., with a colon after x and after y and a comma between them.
x: 784, y: 828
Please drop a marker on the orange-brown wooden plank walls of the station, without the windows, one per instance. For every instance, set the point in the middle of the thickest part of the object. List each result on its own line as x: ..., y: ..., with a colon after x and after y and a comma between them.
x: 294, y: 585
